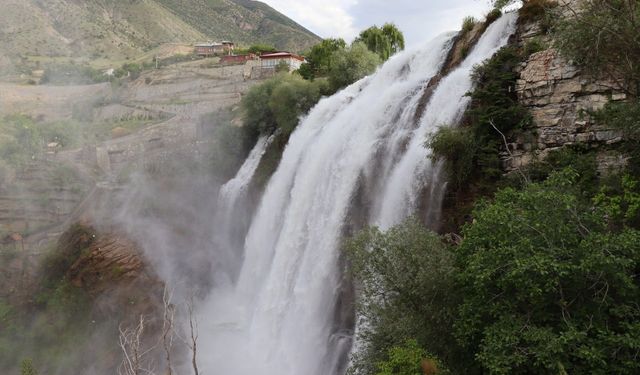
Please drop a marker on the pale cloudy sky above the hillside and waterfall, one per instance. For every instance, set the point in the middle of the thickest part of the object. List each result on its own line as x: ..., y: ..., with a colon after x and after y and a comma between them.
x: 420, y: 20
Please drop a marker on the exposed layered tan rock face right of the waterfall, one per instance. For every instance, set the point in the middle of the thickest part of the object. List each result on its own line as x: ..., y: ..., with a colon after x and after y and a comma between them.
x: 560, y: 98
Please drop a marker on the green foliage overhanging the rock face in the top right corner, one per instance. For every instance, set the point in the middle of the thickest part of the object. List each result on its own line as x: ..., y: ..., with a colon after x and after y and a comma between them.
x: 602, y: 38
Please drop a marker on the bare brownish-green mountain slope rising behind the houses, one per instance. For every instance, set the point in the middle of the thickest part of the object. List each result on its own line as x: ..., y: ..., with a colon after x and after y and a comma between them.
x: 116, y: 30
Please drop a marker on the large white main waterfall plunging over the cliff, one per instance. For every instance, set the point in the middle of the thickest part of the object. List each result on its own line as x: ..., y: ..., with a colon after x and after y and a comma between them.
x: 279, y: 318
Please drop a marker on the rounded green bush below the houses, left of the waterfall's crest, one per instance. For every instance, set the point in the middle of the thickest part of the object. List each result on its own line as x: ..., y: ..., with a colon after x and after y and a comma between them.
x: 279, y: 102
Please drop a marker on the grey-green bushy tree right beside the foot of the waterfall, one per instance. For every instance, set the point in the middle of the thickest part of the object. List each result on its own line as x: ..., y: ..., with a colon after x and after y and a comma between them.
x: 406, y: 275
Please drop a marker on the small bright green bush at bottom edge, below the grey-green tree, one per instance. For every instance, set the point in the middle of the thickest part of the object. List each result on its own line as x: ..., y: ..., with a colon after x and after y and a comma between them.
x: 410, y: 359
